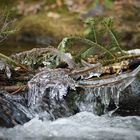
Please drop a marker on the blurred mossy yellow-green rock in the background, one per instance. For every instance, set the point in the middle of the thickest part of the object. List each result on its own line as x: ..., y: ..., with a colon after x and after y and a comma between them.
x: 44, y: 30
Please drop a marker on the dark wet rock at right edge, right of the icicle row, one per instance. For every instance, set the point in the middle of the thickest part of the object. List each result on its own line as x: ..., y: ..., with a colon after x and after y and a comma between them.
x: 130, y: 99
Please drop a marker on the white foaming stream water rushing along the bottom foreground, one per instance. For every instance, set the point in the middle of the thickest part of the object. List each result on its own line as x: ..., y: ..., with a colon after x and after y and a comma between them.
x: 82, y: 126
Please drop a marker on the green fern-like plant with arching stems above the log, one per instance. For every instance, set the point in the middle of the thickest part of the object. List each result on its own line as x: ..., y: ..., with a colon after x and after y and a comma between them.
x: 99, y: 35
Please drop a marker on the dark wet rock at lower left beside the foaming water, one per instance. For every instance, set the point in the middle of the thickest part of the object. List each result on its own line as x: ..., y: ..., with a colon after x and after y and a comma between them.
x: 10, y: 112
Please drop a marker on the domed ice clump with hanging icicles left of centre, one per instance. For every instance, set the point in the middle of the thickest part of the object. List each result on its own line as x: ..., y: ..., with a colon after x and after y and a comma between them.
x: 53, y: 83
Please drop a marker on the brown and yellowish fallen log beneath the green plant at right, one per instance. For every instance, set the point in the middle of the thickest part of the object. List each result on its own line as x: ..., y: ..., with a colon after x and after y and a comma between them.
x: 115, y: 68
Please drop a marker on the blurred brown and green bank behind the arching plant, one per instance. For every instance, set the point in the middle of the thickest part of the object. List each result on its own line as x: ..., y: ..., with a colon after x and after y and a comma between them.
x: 25, y: 24
